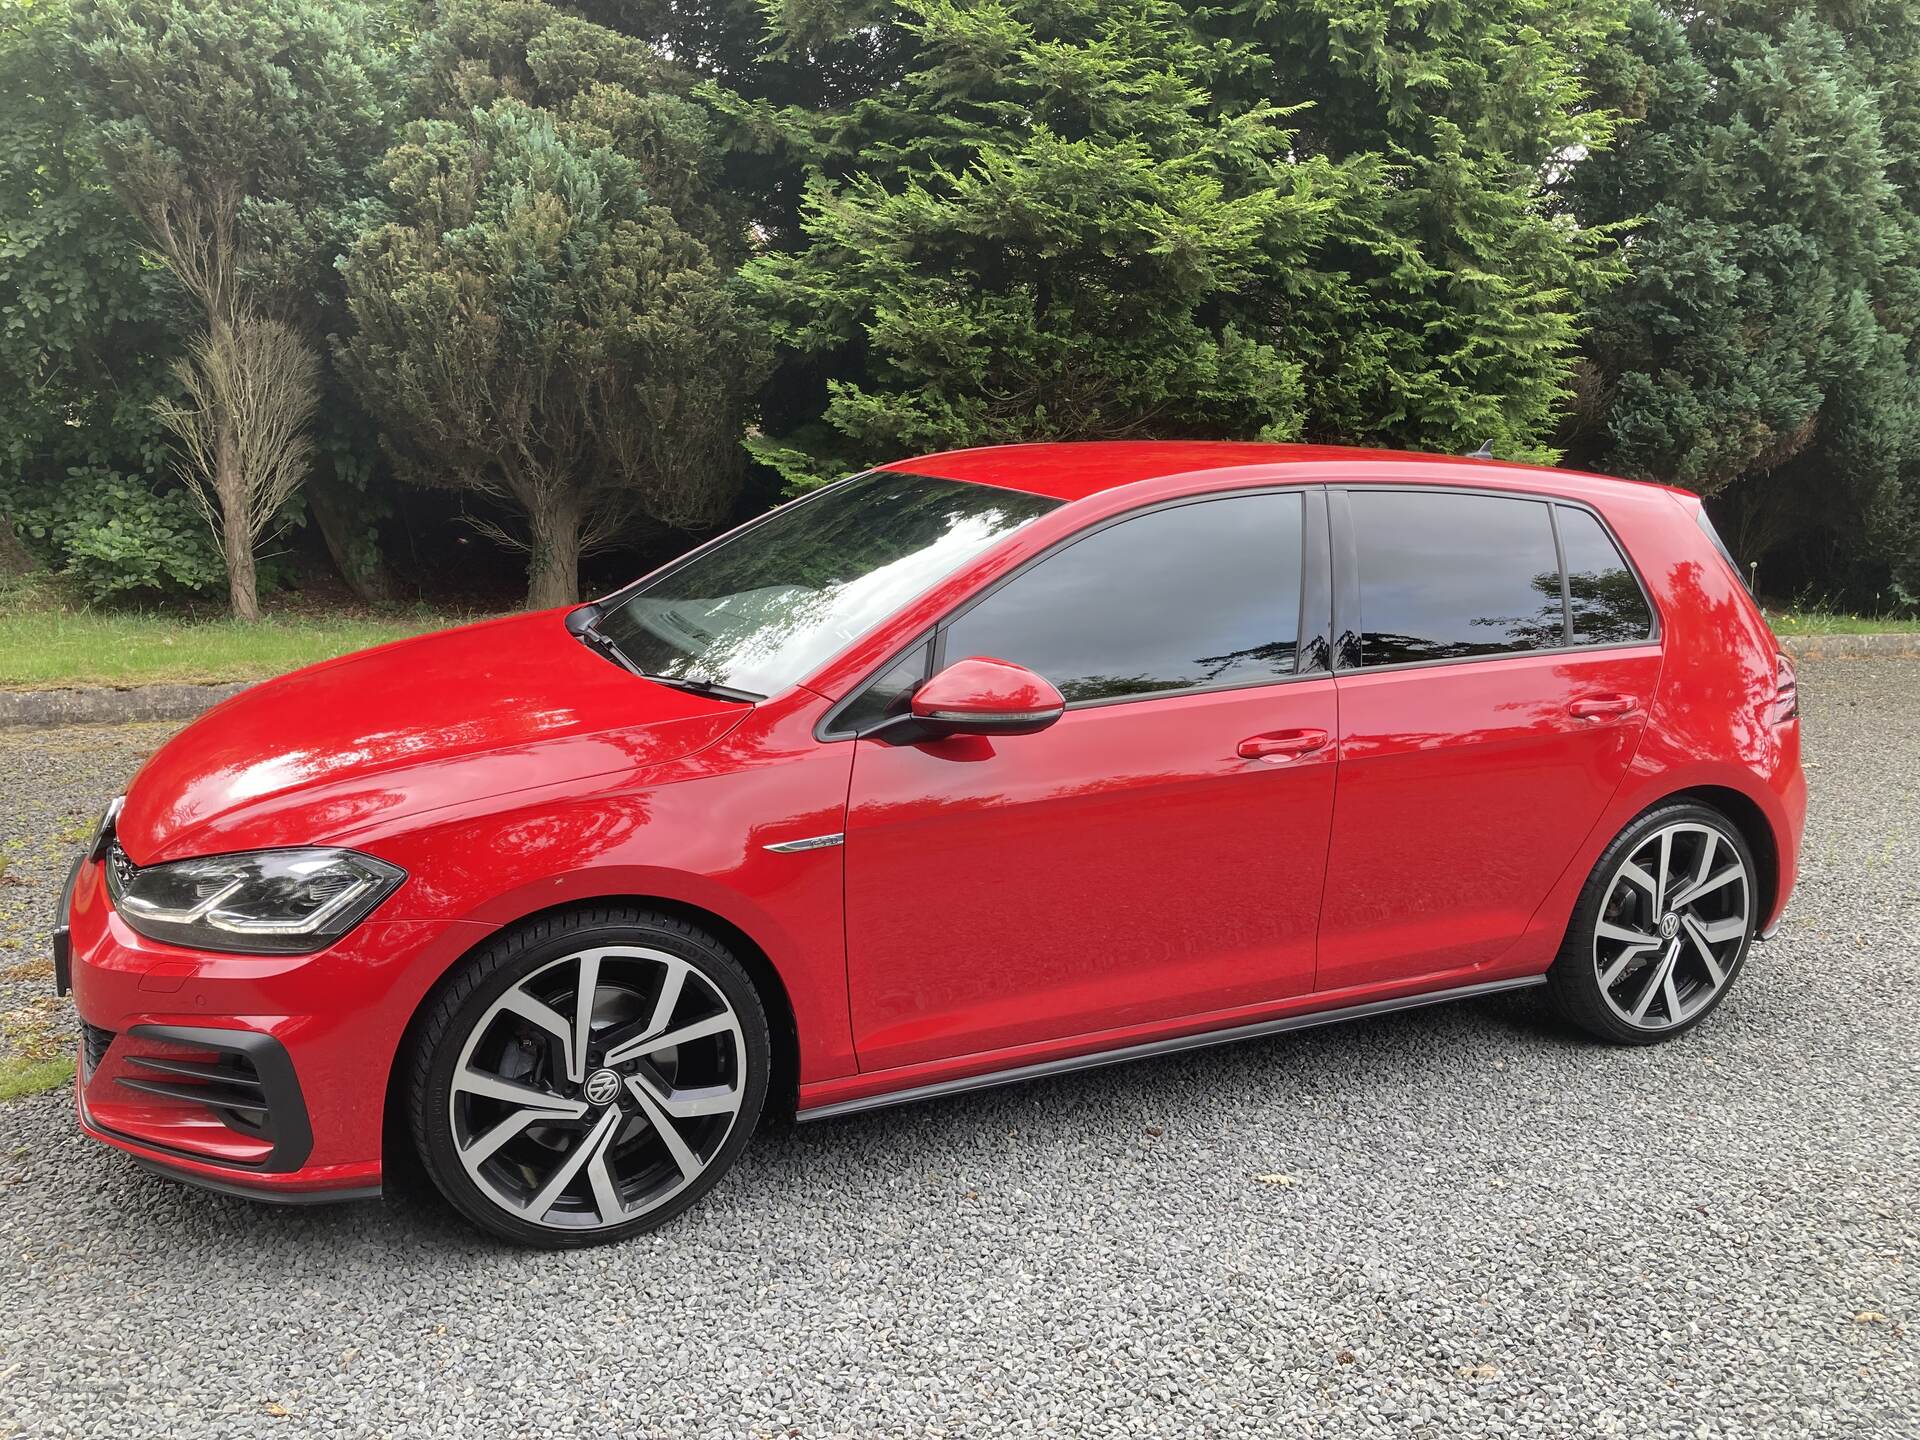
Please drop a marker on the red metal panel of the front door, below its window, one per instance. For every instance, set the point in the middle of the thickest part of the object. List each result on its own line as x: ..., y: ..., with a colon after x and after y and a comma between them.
x: 1118, y: 867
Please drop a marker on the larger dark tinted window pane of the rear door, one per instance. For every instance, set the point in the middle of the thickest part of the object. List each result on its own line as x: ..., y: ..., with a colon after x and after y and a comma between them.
x: 1454, y: 575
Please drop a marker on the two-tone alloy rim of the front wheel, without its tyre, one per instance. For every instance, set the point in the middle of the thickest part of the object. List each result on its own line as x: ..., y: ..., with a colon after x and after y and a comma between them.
x: 598, y: 1088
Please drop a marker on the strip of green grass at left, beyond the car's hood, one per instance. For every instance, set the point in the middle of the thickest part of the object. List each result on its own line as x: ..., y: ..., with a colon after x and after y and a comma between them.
x: 47, y: 646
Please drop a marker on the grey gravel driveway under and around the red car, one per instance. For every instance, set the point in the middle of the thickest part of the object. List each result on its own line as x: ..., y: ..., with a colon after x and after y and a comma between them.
x: 1445, y: 1224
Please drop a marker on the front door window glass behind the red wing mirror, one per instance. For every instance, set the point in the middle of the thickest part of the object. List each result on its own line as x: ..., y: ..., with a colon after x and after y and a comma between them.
x: 1203, y: 594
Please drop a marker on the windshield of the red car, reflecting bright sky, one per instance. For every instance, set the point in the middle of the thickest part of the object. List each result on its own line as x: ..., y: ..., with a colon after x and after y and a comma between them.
x: 765, y: 608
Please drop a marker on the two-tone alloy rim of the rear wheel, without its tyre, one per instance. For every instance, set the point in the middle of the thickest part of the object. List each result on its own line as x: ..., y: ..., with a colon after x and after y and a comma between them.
x: 1673, y: 926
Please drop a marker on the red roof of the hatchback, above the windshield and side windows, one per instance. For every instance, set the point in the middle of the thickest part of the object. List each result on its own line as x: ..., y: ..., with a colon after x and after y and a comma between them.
x: 1078, y: 469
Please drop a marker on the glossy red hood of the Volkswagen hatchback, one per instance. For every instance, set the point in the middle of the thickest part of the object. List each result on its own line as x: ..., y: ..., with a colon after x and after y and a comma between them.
x: 356, y: 744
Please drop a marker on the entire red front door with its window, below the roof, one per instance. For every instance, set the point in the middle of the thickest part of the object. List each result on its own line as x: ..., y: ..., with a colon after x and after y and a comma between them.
x: 1157, y: 853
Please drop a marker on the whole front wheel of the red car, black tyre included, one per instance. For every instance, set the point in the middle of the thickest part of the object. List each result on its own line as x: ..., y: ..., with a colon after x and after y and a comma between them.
x: 588, y: 1076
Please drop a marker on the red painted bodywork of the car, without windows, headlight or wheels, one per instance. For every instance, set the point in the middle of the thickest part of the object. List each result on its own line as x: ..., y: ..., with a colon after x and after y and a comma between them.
x: 1136, y: 871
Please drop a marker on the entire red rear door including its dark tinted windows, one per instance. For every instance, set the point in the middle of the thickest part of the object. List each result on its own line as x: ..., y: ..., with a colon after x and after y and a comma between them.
x: 1491, y: 702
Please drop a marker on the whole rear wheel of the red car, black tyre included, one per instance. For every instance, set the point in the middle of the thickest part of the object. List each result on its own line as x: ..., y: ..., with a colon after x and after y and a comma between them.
x: 1662, y: 928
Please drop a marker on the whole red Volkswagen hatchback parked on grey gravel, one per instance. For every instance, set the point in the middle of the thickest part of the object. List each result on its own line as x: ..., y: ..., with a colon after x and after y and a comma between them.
x: 963, y: 771
